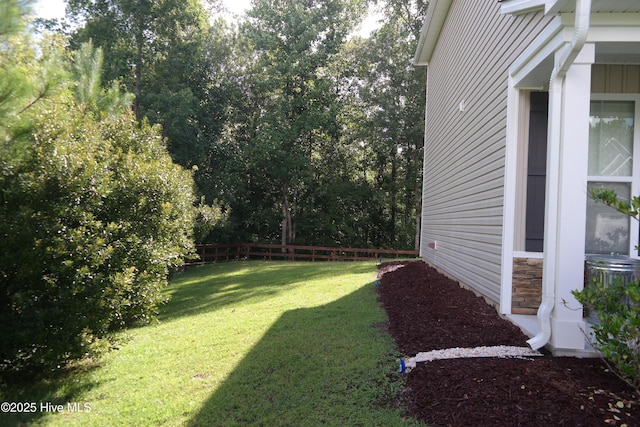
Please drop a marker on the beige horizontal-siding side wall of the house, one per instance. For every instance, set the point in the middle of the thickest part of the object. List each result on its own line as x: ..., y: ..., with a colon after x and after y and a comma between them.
x: 464, y: 163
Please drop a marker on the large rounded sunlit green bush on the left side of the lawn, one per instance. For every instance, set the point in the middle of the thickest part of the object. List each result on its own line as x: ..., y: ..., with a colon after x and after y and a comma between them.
x: 93, y: 215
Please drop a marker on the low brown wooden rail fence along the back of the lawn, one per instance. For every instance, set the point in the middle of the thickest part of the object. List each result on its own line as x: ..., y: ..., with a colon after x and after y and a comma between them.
x: 216, y: 253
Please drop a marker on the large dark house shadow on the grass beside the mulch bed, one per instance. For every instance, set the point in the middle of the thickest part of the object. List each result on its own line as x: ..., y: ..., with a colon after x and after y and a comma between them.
x: 314, y: 366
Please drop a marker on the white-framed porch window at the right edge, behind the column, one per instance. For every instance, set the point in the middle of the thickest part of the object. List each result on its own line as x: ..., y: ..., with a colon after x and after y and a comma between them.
x: 613, y: 159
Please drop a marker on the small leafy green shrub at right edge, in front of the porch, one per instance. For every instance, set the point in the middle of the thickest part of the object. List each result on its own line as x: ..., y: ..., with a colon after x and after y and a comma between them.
x: 617, y: 335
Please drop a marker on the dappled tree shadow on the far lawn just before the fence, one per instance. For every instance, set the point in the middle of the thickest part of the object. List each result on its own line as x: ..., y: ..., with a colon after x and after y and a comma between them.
x: 215, y: 286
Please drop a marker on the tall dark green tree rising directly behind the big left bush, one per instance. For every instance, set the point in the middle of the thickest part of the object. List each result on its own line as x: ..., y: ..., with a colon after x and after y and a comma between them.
x: 159, y: 50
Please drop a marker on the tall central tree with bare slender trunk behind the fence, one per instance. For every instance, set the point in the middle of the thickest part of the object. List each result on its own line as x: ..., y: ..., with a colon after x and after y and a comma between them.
x: 293, y: 43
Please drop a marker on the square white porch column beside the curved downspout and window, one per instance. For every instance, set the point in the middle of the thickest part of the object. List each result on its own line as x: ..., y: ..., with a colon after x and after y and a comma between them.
x: 566, y: 321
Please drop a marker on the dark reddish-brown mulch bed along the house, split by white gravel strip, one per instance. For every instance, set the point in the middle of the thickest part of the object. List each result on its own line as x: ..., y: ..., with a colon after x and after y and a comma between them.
x: 428, y: 311
